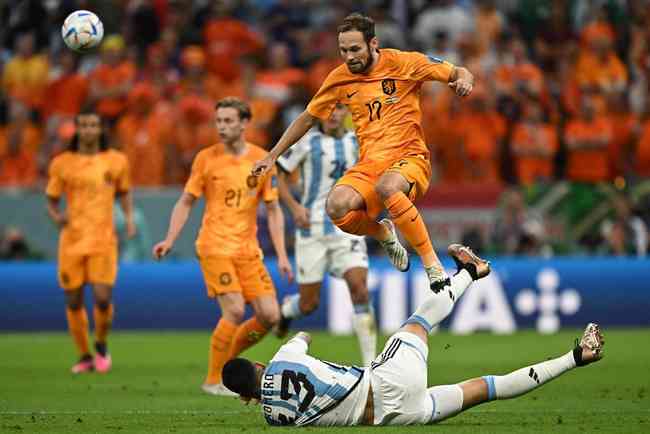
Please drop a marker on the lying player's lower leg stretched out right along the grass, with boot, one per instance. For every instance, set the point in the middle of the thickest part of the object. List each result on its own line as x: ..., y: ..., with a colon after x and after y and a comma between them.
x: 450, y: 400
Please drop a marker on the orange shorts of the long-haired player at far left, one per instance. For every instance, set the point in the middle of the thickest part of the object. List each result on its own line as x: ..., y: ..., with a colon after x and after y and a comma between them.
x: 77, y: 270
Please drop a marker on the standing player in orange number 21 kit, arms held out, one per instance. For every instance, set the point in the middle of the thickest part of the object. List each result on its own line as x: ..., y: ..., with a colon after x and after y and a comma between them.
x: 227, y: 246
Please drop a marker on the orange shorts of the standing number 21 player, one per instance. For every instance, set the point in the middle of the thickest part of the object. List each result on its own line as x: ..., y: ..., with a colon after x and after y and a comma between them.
x: 247, y: 276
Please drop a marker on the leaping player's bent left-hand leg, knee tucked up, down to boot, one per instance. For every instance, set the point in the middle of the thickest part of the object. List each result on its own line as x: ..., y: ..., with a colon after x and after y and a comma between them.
x: 353, y: 205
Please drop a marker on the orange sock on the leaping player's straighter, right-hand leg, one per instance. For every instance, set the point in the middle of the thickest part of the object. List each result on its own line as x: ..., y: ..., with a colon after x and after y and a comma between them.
x: 410, y: 224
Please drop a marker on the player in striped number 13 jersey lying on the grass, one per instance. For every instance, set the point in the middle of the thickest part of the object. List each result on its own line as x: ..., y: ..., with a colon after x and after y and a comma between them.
x: 297, y: 389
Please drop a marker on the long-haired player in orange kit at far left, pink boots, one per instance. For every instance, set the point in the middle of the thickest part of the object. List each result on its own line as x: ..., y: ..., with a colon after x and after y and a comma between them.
x: 90, y: 176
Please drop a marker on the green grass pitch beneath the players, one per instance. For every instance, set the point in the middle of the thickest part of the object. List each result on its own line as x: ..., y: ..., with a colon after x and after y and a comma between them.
x: 154, y: 386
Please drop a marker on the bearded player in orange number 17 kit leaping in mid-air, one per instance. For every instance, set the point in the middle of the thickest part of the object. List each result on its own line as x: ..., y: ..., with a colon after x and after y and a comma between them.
x: 381, y: 89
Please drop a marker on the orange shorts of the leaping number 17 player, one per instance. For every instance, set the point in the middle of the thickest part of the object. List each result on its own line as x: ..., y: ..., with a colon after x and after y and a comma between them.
x: 363, y: 177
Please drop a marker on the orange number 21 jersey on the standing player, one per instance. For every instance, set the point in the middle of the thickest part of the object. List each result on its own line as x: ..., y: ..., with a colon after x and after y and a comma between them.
x: 229, y: 226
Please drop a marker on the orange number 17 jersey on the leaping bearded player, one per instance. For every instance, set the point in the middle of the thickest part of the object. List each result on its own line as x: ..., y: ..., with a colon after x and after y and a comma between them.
x: 384, y: 103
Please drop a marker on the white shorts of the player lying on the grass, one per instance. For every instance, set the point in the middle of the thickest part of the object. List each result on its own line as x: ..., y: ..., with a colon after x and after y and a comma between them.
x: 399, y: 384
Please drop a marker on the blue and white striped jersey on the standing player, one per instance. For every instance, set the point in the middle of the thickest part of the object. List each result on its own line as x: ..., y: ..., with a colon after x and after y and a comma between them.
x: 322, y: 160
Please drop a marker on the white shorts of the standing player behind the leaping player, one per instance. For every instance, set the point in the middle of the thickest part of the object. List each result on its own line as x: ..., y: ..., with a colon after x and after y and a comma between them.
x: 336, y: 253
